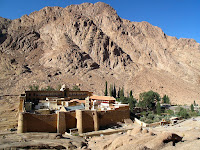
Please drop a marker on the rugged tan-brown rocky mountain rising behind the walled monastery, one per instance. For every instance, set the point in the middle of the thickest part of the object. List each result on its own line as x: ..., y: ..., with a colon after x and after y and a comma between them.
x: 90, y: 44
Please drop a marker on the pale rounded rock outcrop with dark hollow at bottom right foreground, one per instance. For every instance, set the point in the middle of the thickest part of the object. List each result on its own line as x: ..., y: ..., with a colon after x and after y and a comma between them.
x: 136, y: 140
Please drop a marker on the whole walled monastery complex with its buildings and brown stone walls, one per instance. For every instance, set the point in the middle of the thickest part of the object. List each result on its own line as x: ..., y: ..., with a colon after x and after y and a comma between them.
x: 66, y: 110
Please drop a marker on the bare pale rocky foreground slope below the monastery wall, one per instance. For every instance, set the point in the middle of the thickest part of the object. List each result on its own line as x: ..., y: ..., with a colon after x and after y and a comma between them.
x: 182, y: 136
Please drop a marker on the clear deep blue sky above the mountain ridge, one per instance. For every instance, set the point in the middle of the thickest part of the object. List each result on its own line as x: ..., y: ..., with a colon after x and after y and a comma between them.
x: 179, y: 18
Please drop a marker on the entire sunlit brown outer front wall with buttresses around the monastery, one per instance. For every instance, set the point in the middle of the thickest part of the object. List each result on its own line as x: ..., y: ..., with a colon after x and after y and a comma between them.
x: 84, y: 120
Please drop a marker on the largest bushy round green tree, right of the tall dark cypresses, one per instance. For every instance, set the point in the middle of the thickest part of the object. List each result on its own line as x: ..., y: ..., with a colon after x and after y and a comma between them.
x: 149, y: 99
